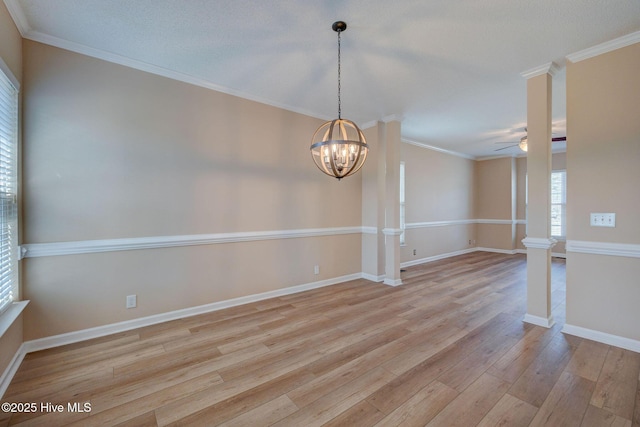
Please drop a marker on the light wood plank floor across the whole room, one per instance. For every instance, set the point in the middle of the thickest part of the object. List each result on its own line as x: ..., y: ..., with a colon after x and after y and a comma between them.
x: 448, y: 348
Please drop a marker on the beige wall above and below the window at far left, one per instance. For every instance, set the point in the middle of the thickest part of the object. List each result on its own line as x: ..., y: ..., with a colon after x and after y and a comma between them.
x: 11, y: 54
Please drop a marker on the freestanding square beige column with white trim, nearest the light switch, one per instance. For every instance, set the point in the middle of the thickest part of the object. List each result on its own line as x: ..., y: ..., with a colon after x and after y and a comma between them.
x: 538, y: 241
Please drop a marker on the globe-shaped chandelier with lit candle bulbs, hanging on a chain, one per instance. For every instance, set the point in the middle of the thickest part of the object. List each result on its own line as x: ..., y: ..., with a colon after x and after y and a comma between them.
x: 338, y: 147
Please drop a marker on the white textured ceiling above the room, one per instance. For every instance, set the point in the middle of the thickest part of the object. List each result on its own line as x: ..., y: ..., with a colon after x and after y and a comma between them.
x: 450, y: 70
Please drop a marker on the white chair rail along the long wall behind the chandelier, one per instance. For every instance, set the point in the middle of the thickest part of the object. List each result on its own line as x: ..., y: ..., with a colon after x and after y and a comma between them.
x: 109, y: 245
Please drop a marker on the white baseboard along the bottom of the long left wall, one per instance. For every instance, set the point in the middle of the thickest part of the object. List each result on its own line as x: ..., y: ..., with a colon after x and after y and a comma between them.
x: 100, y: 331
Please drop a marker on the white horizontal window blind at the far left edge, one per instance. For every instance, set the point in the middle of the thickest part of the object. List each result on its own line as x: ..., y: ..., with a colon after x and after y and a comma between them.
x: 8, y: 190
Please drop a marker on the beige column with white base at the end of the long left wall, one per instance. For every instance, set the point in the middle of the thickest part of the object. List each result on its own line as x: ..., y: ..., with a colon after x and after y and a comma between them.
x: 392, y: 229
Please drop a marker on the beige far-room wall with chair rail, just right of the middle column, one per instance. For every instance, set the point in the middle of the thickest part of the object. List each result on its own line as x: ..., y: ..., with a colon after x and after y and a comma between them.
x: 439, y: 187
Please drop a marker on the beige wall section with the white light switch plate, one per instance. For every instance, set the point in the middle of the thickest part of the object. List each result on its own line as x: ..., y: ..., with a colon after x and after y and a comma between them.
x: 603, y: 155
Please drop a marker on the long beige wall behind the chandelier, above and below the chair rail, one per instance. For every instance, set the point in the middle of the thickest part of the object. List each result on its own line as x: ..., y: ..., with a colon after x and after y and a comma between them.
x: 112, y: 152
